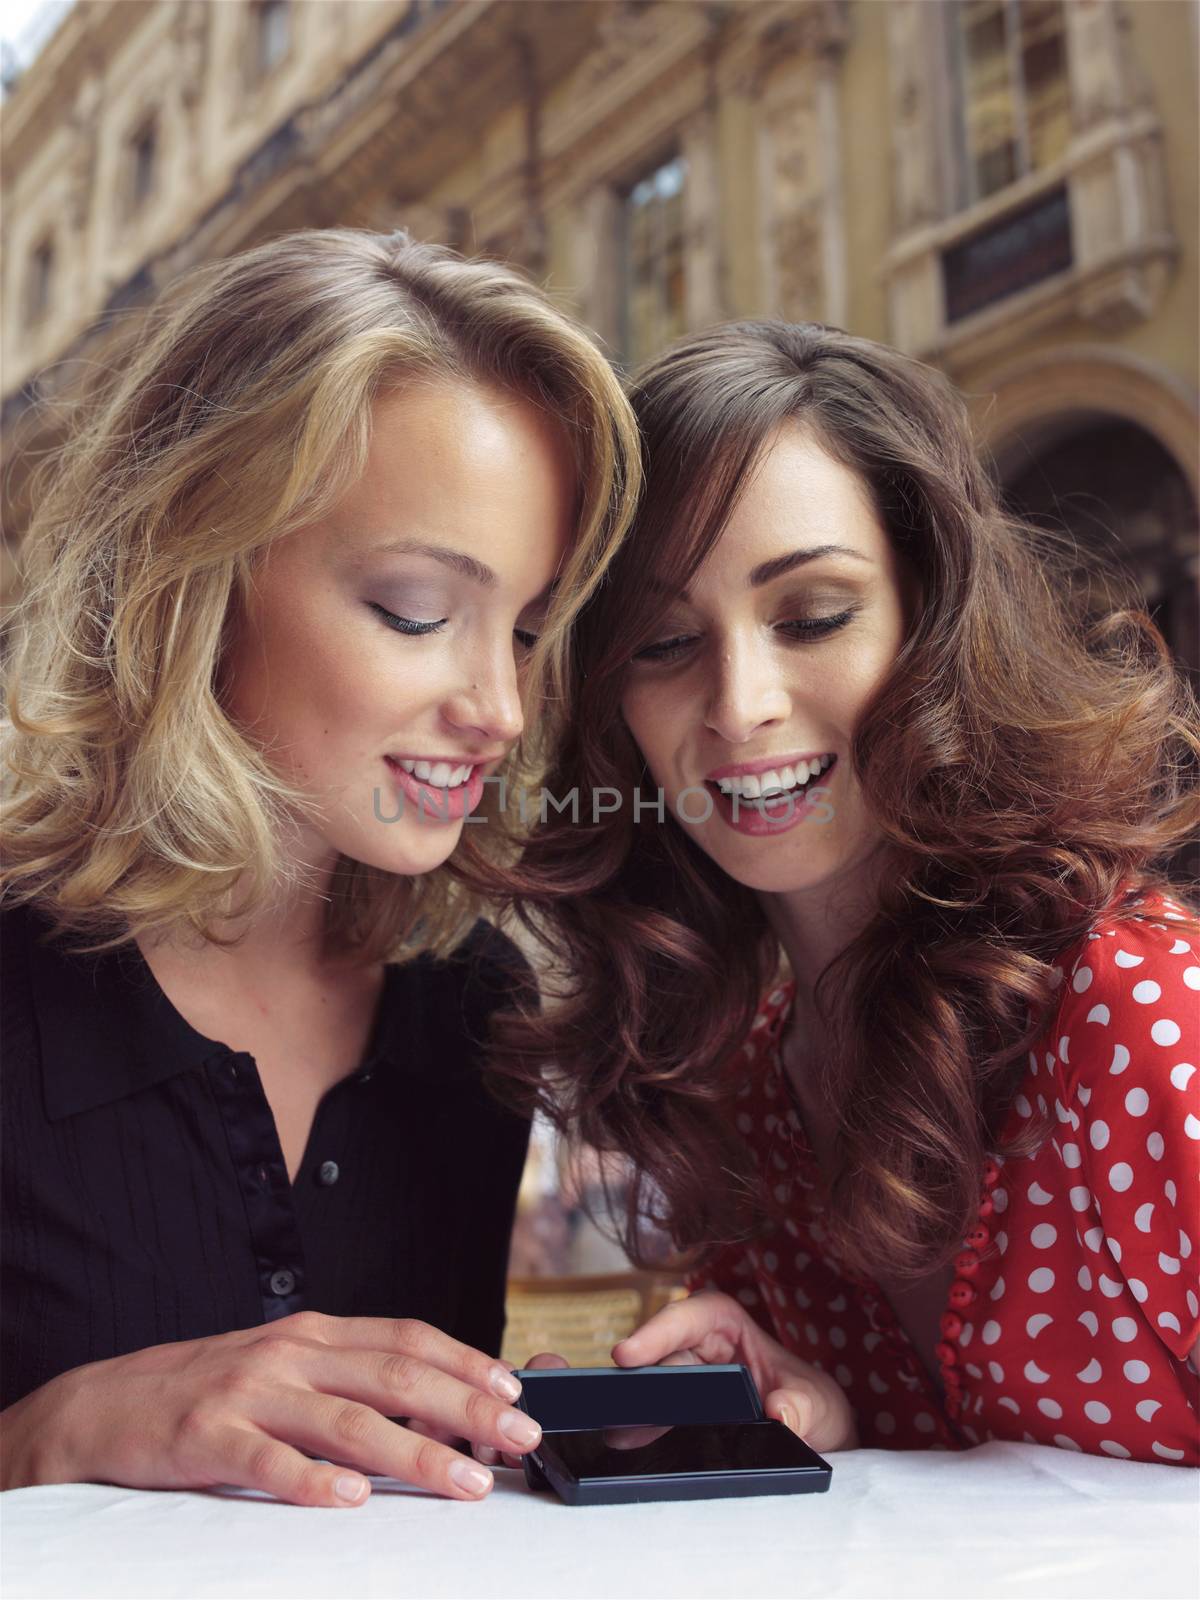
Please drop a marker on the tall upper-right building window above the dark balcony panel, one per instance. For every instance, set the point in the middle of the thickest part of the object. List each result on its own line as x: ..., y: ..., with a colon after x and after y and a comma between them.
x: 1014, y: 92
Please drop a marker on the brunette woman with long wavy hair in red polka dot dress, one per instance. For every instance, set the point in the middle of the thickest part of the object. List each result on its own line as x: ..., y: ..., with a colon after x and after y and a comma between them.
x: 878, y: 974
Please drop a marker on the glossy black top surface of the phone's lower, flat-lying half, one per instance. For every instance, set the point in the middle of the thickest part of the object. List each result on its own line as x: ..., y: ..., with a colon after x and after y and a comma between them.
x: 623, y: 1454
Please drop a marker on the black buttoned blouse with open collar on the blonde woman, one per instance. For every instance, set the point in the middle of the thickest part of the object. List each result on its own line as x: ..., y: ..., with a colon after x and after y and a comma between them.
x: 145, y: 1190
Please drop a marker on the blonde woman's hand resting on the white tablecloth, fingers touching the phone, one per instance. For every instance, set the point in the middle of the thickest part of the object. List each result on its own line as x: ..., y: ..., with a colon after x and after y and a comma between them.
x: 244, y: 1407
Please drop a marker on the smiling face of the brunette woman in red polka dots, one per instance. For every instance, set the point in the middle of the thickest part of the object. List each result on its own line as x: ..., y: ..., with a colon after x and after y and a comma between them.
x: 756, y: 679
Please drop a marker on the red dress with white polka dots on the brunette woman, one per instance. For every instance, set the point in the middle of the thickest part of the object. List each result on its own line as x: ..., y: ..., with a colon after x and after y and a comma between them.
x: 1074, y: 1303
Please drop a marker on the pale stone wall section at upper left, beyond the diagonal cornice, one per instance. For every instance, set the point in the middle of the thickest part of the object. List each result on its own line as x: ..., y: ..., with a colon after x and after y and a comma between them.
x: 111, y: 65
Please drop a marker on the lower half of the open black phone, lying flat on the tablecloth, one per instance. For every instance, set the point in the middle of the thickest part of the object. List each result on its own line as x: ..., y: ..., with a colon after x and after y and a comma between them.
x: 695, y: 1462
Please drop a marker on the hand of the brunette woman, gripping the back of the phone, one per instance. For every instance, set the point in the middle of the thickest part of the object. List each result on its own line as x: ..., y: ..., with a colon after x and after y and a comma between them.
x: 714, y: 1329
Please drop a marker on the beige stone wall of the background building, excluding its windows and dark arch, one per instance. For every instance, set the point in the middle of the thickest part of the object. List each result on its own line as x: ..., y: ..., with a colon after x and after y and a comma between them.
x: 817, y: 138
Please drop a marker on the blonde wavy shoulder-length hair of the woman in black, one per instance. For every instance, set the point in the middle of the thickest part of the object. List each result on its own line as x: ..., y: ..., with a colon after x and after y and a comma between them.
x: 241, y: 414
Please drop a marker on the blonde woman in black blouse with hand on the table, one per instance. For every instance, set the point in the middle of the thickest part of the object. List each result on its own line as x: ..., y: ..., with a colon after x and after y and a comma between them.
x: 290, y: 590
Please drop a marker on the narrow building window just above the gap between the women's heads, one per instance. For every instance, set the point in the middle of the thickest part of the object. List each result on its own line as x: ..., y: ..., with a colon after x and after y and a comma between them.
x: 652, y: 268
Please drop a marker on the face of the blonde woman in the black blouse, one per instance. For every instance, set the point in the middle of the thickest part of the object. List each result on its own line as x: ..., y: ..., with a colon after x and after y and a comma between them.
x: 382, y: 663
